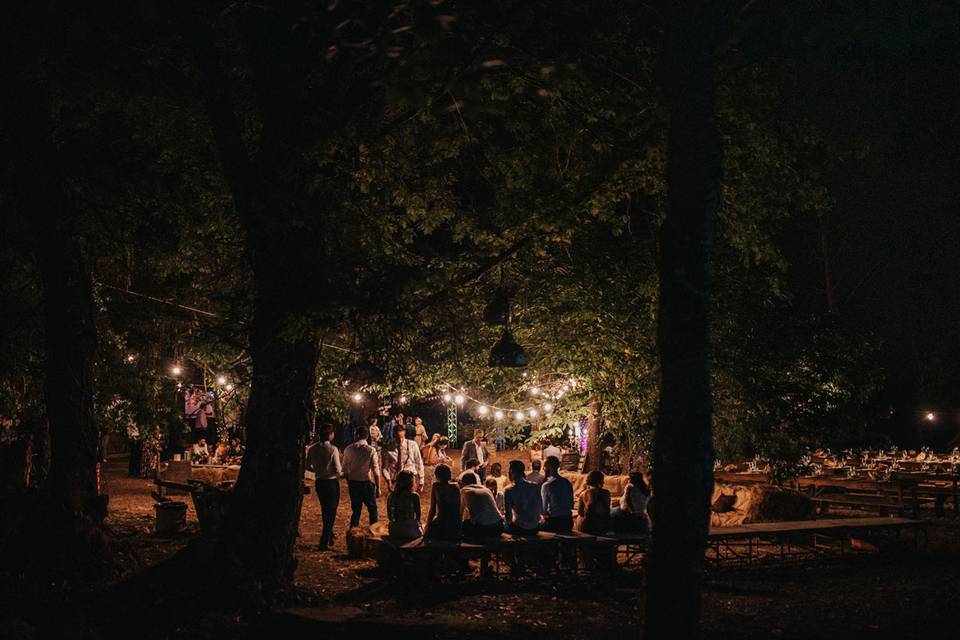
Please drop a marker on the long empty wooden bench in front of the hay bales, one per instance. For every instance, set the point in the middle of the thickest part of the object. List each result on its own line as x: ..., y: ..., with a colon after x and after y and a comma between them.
x: 802, y: 539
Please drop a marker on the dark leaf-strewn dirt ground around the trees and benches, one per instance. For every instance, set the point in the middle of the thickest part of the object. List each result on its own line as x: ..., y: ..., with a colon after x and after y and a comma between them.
x: 903, y: 594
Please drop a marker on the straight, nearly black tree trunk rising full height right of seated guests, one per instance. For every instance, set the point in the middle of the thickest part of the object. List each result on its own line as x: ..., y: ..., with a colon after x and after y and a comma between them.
x: 683, y: 449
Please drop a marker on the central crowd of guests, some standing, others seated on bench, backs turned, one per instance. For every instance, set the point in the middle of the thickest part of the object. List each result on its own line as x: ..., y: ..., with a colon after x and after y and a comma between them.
x: 479, y: 502
